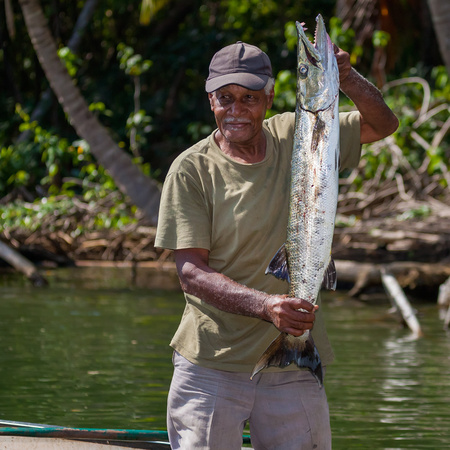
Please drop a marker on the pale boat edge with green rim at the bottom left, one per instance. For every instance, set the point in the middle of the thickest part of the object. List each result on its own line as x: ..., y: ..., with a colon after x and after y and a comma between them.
x: 33, y: 436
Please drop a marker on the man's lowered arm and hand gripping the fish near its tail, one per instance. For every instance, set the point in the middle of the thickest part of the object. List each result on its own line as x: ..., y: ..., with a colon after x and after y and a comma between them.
x: 197, y: 278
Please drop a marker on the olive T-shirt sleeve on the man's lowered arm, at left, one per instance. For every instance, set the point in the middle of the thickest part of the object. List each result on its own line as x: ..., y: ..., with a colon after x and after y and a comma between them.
x: 183, y: 220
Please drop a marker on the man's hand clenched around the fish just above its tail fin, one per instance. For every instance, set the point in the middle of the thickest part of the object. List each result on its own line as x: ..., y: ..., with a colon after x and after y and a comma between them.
x: 283, y: 312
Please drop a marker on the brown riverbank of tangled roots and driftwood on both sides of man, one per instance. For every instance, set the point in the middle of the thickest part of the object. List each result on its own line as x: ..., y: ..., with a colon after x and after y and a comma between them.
x: 415, y: 251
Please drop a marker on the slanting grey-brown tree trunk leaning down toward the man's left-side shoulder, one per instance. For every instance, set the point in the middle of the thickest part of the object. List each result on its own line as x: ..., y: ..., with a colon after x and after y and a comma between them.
x: 143, y: 191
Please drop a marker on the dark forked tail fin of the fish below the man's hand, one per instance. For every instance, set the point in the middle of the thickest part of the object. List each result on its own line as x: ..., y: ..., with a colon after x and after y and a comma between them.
x: 286, y: 349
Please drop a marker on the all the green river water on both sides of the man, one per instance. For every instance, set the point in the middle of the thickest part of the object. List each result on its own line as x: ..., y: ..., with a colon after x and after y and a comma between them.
x: 91, y: 350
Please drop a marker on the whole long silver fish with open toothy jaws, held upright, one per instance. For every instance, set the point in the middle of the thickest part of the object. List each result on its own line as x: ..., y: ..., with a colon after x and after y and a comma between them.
x: 305, y: 259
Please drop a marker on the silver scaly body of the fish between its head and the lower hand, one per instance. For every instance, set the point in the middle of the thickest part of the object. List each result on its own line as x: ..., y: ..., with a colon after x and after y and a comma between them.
x: 314, y: 188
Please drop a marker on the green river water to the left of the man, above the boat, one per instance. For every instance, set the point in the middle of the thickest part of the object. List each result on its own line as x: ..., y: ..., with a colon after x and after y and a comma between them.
x: 92, y: 354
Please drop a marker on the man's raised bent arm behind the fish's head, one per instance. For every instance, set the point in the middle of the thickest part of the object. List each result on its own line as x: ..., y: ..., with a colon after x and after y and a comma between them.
x: 377, y: 120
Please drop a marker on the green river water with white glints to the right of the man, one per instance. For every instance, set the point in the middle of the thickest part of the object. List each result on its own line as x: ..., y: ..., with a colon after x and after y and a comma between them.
x: 387, y: 390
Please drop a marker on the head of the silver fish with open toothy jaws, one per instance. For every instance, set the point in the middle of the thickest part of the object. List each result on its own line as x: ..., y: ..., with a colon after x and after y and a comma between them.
x: 317, y: 71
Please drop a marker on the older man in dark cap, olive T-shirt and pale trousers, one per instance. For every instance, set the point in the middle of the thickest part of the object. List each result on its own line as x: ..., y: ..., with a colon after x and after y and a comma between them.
x: 224, y: 212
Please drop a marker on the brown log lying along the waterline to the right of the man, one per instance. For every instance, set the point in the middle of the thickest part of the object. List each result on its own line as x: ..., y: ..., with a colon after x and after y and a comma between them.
x: 409, y: 275
